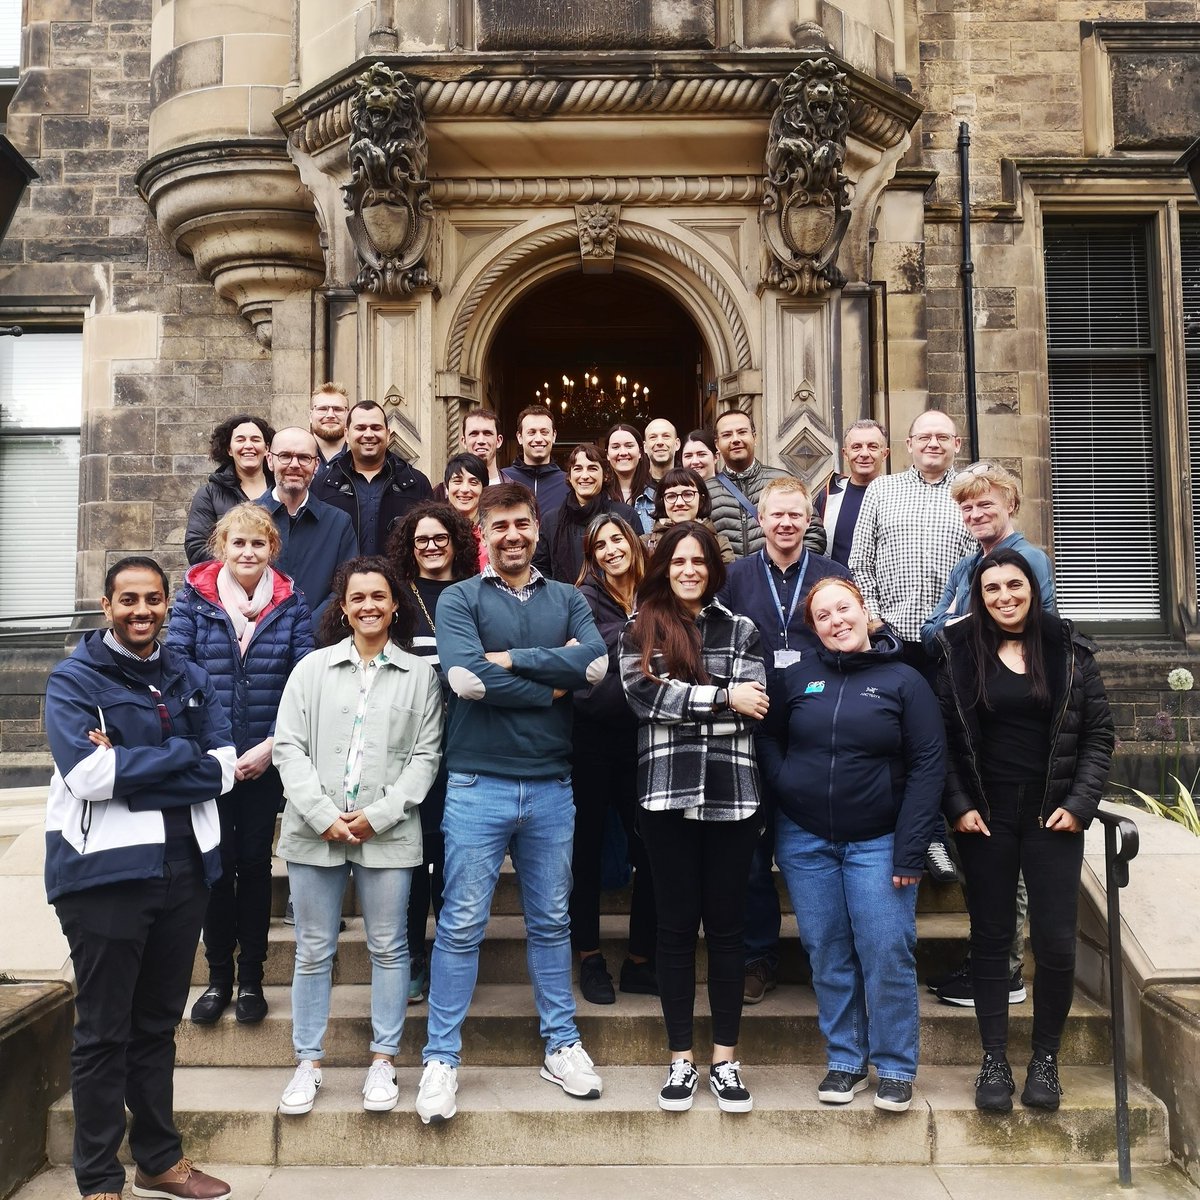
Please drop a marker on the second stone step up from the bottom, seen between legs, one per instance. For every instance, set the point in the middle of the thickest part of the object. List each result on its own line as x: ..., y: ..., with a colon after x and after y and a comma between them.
x: 502, y: 1031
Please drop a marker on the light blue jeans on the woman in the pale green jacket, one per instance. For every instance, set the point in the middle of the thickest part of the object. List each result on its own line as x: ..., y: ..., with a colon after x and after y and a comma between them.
x: 317, y: 898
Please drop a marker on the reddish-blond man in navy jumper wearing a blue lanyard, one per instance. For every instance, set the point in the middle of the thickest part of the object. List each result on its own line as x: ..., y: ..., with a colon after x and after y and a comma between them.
x: 770, y: 589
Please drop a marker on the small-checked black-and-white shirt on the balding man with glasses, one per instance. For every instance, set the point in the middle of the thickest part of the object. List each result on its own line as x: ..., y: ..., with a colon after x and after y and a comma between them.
x: 909, y: 537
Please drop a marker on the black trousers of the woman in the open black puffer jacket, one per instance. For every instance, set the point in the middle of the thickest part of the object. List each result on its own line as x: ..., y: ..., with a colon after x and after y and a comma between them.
x: 1052, y: 862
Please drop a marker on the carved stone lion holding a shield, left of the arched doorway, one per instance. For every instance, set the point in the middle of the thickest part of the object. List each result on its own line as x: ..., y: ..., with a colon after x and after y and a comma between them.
x: 392, y: 214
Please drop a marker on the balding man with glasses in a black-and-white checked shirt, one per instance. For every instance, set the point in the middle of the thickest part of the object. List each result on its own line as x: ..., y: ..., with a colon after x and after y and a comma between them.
x: 909, y: 537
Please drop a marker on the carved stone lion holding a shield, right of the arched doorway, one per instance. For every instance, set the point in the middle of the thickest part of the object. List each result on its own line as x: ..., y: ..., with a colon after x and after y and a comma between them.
x: 806, y: 206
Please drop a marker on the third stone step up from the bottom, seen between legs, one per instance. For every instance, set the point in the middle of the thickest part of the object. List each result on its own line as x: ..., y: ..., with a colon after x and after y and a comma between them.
x: 941, y: 938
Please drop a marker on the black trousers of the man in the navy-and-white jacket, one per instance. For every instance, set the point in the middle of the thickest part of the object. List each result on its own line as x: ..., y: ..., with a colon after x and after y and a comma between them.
x: 133, y: 946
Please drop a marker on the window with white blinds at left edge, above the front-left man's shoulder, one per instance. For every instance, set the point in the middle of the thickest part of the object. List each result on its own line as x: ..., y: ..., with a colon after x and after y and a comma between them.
x: 41, y: 388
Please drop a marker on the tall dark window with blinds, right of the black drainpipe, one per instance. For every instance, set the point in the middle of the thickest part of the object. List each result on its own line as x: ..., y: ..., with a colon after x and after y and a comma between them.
x: 1103, y: 371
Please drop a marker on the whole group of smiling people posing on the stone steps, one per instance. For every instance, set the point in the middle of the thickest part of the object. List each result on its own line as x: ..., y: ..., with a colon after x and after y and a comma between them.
x: 425, y: 683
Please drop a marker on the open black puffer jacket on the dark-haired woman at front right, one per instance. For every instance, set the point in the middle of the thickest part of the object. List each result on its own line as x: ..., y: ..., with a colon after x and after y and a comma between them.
x: 1082, y: 735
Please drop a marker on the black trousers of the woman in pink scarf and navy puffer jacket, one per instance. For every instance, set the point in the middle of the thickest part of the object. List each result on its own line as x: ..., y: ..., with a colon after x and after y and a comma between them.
x: 239, y: 915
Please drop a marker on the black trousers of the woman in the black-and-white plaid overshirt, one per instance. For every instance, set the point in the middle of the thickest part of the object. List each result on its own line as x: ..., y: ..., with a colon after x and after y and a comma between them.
x: 700, y: 875
